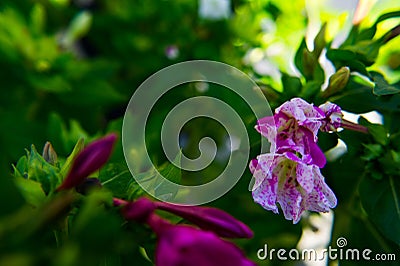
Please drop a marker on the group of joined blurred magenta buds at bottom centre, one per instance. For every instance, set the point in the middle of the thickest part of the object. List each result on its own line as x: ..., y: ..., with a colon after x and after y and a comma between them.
x: 189, y: 245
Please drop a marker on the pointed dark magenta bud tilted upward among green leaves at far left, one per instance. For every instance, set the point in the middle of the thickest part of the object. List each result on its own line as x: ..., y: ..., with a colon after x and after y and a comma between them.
x: 92, y: 158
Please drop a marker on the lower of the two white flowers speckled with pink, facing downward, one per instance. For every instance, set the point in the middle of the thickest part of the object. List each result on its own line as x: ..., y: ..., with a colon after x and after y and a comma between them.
x: 296, y: 186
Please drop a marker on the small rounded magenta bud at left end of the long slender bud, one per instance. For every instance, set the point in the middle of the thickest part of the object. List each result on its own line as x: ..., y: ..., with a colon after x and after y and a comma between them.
x: 138, y: 210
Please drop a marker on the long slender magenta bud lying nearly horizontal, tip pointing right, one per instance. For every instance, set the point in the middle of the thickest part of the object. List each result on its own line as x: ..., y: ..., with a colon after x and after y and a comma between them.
x: 211, y: 219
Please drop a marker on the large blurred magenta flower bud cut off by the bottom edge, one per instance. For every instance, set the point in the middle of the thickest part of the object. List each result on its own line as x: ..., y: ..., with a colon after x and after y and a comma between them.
x: 189, y: 246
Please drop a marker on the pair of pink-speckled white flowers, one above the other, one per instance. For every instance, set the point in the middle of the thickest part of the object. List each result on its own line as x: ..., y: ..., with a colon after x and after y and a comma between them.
x: 291, y: 176
